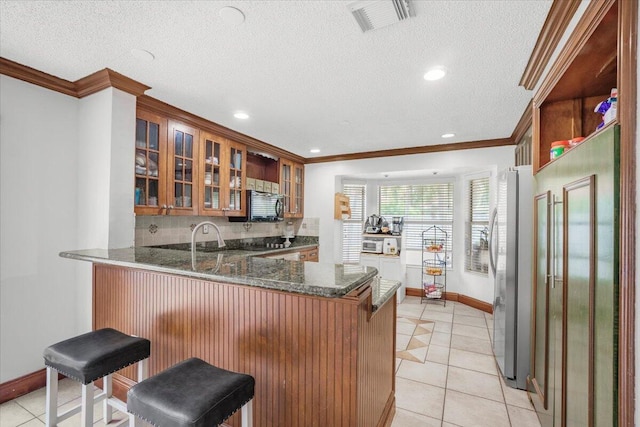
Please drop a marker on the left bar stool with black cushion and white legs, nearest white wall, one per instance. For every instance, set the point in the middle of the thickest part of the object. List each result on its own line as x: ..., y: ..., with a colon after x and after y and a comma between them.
x: 89, y: 357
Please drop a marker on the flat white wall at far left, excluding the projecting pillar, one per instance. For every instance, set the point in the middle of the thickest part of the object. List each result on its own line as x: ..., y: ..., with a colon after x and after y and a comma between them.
x: 38, y: 199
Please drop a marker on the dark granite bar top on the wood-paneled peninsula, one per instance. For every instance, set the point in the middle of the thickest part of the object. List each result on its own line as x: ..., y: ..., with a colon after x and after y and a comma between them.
x: 244, y: 267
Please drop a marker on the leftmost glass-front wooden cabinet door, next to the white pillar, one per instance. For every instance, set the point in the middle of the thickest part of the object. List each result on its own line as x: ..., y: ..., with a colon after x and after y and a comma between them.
x: 150, y: 163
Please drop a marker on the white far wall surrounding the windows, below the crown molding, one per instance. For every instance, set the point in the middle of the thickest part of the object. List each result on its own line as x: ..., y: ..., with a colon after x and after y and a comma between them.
x: 323, y: 180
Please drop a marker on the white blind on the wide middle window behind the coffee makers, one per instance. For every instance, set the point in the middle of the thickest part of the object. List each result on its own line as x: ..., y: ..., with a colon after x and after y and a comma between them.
x: 421, y: 206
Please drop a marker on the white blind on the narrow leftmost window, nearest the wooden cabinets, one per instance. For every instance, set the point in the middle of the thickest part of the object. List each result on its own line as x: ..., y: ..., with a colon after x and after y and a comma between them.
x: 352, y: 227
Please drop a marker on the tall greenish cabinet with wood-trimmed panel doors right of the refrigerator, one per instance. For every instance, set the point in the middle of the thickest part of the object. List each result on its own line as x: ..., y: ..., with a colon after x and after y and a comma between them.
x: 574, y: 376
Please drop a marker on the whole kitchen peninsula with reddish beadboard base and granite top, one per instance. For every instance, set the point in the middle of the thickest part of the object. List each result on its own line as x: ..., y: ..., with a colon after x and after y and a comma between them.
x: 318, y: 338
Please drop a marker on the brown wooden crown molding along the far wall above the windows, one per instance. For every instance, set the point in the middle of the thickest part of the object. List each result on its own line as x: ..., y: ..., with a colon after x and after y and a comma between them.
x: 413, y: 150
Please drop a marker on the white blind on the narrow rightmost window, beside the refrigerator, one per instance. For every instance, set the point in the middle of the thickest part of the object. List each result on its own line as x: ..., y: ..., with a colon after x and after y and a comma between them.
x: 477, y: 232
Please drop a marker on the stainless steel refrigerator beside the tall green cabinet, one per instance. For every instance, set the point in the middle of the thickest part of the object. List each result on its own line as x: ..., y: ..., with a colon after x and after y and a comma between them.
x: 510, y: 255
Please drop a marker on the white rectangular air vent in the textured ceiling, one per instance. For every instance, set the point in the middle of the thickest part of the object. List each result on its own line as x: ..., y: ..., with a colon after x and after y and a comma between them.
x: 374, y: 14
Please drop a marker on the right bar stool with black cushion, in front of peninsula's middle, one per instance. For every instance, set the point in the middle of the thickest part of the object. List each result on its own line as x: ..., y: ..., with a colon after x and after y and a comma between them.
x: 192, y: 393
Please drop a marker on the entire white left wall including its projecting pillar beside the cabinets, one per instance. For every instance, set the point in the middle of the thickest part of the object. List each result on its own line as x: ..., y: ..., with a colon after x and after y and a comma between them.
x: 66, y: 180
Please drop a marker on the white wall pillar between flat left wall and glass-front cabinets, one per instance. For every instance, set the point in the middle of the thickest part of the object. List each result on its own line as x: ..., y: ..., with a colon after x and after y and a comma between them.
x: 106, y: 135
